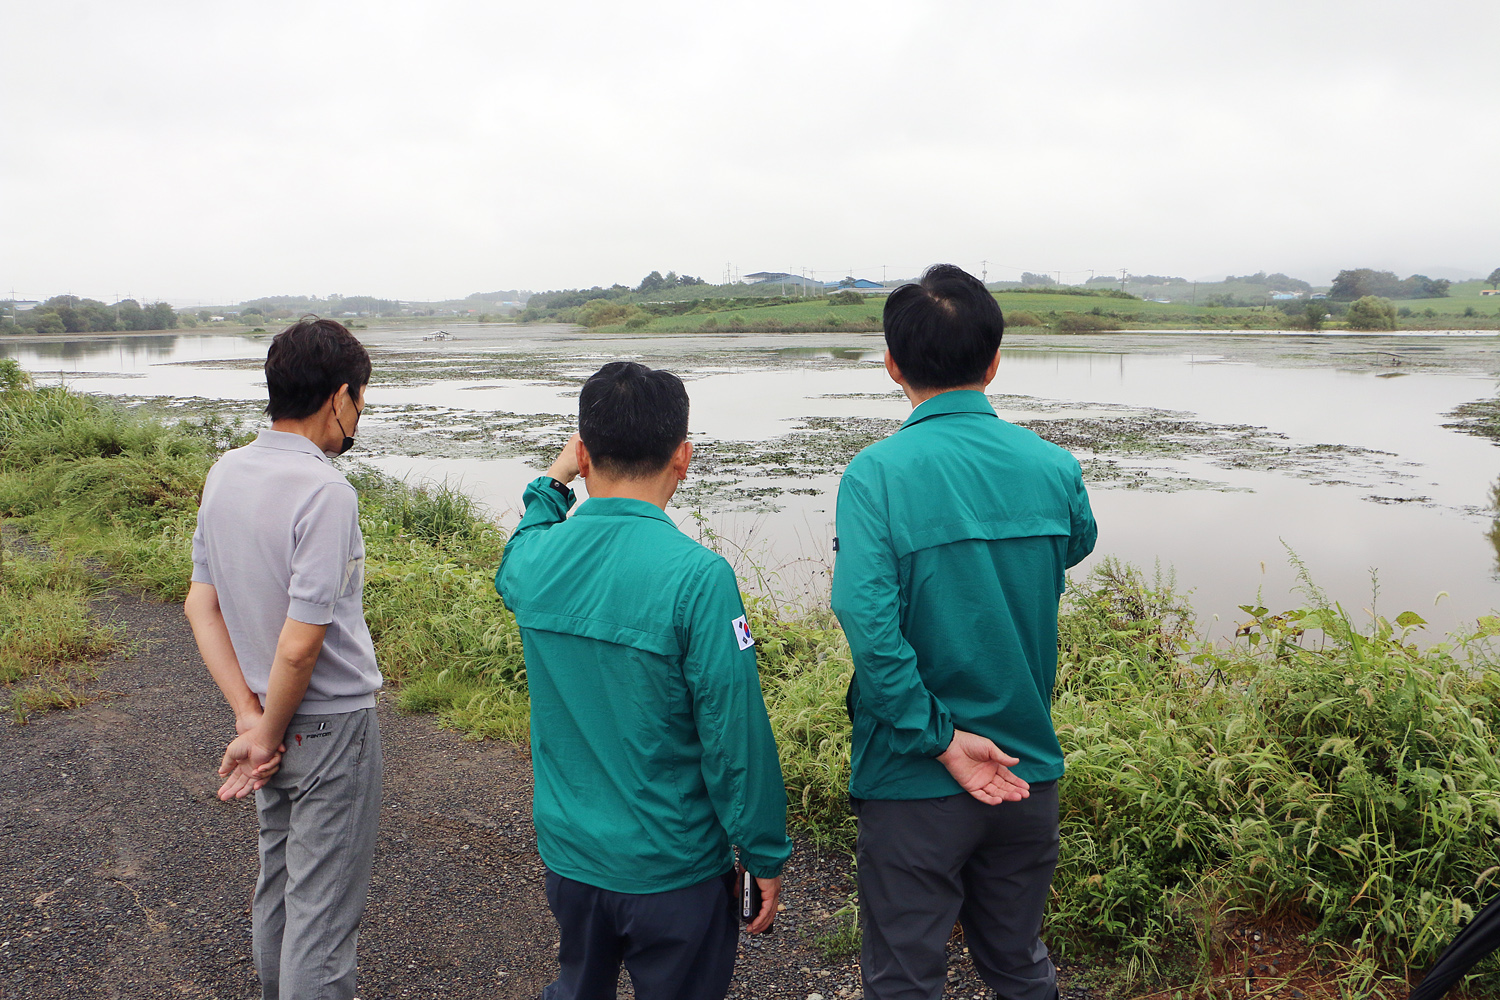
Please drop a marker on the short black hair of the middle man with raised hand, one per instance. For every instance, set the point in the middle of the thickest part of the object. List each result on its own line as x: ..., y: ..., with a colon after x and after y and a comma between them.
x: 632, y: 419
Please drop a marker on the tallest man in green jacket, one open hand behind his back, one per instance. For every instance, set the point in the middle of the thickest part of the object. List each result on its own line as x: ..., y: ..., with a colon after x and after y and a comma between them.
x: 953, y: 539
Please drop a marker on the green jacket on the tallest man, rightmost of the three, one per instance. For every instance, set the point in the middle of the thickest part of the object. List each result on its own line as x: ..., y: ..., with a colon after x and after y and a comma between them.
x: 953, y: 539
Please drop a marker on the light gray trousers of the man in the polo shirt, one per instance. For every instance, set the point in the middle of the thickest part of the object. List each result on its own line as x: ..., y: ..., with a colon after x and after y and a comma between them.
x: 319, y: 822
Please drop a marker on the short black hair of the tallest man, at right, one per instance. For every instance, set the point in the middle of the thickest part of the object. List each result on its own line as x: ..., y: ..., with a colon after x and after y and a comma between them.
x: 943, y: 331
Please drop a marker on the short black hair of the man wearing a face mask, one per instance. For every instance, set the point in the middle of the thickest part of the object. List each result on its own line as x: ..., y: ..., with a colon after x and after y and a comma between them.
x: 308, y: 362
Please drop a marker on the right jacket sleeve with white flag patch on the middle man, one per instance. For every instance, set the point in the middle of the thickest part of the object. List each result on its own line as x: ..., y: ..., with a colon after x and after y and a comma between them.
x: 740, y: 764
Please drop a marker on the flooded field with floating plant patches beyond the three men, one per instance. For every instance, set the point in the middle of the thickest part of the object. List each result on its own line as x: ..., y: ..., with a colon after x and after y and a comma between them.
x: 1210, y: 455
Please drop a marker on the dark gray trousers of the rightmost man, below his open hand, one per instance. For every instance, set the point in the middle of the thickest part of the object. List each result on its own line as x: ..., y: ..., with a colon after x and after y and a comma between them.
x: 925, y: 864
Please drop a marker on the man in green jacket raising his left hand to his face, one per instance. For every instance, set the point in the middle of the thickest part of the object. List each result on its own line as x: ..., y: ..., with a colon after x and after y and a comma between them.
x: 650, y: 741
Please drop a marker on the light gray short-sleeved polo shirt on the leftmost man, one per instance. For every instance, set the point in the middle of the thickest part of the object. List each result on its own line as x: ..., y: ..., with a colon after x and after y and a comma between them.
x: 280, y: 537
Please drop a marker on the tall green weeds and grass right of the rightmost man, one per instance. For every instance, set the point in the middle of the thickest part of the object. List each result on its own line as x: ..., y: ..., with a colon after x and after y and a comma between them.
x: 1343, y: 776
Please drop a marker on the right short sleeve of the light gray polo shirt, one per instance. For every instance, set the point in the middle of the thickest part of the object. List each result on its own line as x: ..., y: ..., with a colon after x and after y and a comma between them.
x: 325, y: 557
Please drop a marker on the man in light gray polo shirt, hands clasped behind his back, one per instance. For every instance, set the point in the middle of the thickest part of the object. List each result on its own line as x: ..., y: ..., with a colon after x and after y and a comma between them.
x: 277, y: 609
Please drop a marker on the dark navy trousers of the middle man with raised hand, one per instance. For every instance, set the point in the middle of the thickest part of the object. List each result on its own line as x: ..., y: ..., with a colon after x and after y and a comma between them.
x: 677, y: 945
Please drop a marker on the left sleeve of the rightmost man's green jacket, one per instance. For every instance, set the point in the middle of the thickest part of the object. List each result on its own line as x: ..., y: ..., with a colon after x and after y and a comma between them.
x: 868, y: 600
